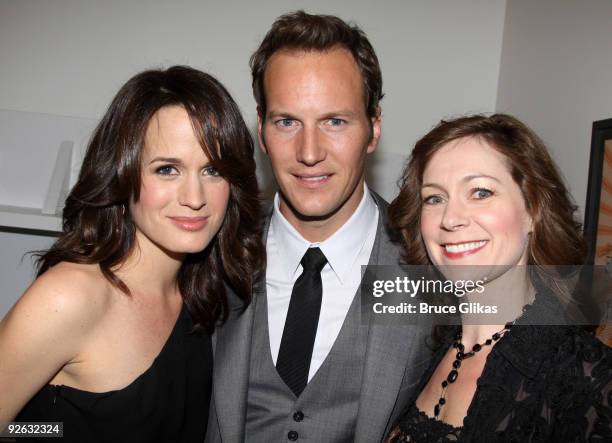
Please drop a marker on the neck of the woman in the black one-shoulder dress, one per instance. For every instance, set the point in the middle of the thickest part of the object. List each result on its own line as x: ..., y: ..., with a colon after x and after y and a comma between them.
x: 149, y: 269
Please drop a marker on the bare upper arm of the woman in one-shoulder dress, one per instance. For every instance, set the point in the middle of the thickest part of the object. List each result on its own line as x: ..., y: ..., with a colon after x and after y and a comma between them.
x: 40, y: 335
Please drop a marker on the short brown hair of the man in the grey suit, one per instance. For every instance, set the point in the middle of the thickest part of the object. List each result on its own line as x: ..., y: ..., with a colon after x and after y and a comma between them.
x: 308, y: 32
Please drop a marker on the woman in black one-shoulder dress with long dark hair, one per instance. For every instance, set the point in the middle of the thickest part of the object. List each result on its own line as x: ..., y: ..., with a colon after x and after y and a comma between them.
x: 160, y: 236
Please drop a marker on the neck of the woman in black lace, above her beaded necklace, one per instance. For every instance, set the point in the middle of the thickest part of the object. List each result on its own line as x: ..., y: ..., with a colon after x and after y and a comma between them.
x: 509, y: 293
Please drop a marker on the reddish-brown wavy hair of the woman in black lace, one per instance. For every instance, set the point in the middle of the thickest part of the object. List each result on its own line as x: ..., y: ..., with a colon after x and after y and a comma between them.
x: 556, y: 238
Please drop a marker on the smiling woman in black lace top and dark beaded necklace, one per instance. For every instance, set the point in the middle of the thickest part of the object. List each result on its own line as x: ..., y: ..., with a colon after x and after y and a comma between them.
x: 483, y: 193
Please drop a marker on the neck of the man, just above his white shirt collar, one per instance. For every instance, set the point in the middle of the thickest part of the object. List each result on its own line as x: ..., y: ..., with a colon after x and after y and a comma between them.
x: 319, y: 228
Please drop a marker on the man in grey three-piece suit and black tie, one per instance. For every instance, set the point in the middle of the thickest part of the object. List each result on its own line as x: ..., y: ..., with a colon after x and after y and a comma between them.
x: 303, y: 361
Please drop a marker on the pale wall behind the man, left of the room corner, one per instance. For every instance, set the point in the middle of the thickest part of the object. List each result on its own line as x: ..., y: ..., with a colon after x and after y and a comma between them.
x: 69, y: 57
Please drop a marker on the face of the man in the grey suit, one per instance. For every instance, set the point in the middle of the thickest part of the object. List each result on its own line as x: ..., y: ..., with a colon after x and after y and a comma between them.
x: 317, y: 135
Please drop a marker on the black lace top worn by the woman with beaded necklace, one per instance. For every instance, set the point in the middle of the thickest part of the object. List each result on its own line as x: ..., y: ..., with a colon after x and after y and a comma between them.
x: 539, y: 384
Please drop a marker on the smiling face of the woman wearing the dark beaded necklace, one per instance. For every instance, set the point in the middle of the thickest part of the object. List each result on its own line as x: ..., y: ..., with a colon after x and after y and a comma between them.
x: 473, y: 211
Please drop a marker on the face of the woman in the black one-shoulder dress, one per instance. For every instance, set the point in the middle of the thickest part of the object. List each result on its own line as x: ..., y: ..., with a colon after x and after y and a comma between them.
x: 182, y: 198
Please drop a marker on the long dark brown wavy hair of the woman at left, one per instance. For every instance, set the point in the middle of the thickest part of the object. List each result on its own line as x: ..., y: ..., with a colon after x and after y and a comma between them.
x: 97, y: 226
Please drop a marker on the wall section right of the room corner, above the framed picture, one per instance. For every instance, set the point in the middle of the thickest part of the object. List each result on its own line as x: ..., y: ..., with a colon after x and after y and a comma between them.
x: 556, y: 75
